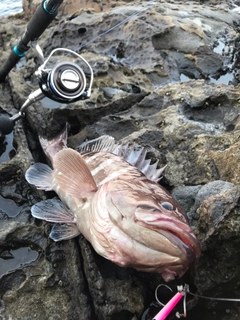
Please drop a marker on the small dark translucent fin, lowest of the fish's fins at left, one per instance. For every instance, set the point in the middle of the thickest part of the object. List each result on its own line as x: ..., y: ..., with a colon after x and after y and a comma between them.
x: 64, y: 232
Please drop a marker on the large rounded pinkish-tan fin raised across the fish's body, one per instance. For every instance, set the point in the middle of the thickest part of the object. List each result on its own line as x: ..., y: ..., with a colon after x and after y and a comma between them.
x: 72, y: 174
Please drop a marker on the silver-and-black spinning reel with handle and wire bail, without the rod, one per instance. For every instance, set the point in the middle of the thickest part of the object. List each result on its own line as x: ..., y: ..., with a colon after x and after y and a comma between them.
x: 64, y: 82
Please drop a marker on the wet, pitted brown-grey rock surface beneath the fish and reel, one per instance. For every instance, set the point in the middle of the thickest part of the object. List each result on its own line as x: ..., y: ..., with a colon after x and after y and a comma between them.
x: 166, y: 79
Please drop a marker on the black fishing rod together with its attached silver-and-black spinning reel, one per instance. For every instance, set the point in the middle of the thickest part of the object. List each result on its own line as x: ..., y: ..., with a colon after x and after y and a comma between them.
x: 64, y: 81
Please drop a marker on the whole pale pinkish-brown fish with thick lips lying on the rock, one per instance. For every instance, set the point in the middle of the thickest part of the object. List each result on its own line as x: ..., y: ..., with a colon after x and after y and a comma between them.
x: 110, y: 193
